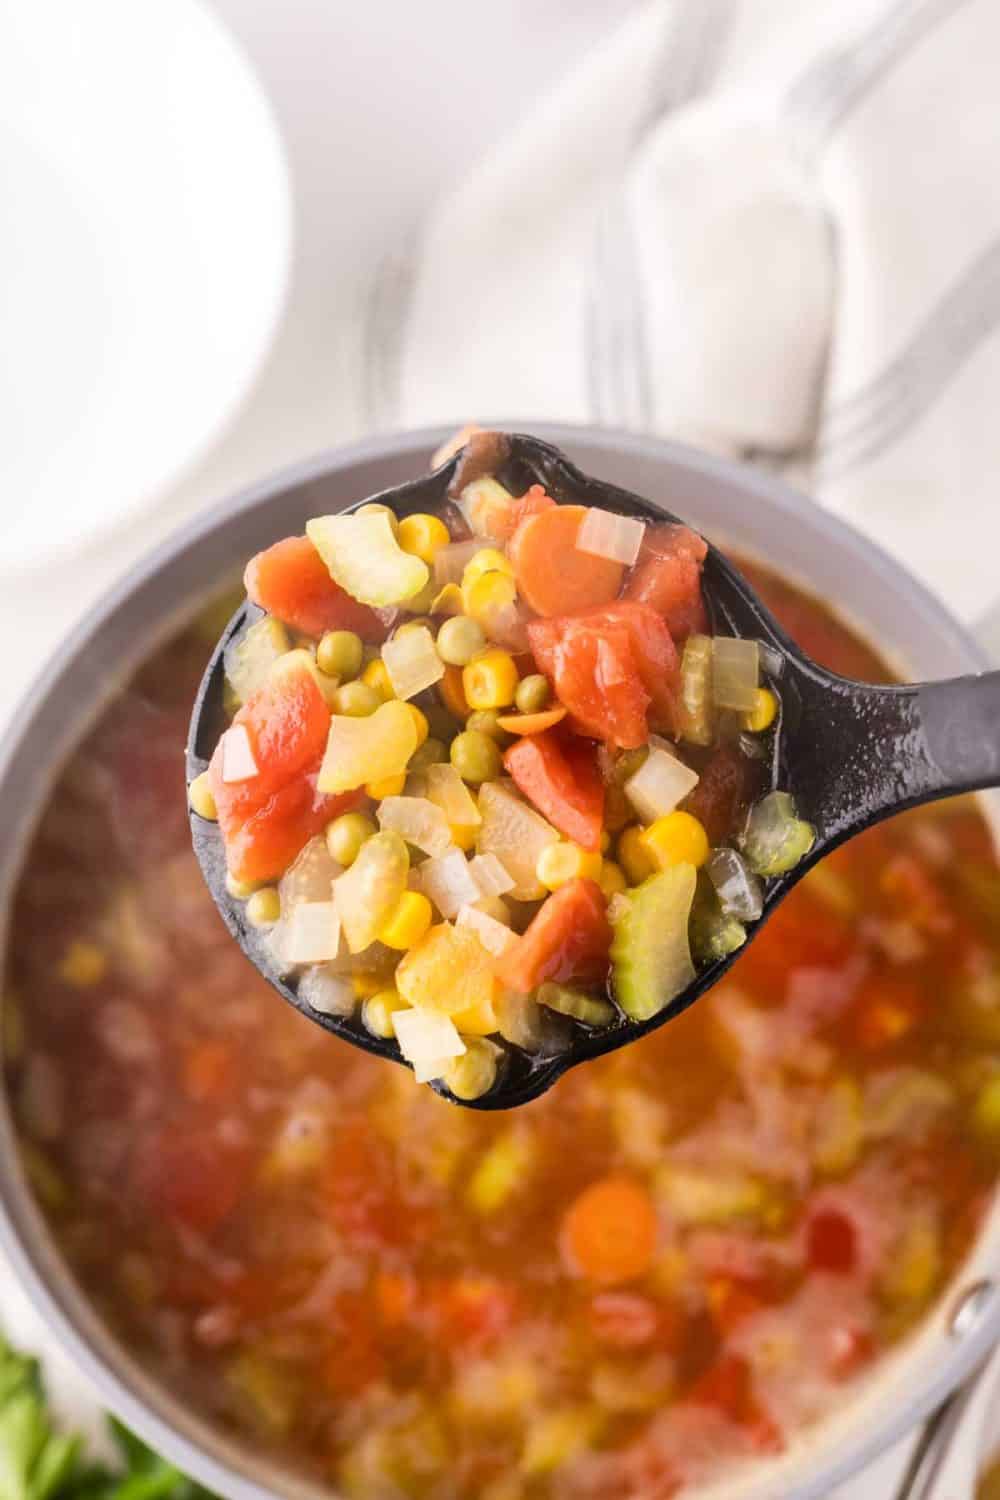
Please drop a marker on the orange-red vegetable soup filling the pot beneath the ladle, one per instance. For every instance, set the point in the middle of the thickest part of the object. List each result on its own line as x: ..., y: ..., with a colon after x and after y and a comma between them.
x: 385, y: 1289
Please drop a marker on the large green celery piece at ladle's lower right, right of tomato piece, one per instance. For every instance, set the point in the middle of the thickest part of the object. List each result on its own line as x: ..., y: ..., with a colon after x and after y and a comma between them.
x: 651, y: 953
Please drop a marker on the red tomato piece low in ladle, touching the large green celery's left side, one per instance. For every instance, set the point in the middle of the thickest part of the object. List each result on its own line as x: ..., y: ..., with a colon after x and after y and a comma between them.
x: 569, y: 938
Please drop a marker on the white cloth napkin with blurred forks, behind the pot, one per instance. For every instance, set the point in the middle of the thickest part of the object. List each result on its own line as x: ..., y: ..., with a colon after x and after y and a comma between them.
x: 768, y: 227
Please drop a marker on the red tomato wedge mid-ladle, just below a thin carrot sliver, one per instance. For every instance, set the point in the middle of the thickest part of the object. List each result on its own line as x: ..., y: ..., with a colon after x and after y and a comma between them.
x: 561, y: 779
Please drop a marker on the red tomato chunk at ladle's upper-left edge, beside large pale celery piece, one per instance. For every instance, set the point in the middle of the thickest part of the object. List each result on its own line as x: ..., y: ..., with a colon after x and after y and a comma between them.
x: 293, y: 583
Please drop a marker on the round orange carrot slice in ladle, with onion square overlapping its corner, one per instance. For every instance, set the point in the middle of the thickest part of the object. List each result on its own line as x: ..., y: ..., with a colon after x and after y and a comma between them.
x: 552, y: 577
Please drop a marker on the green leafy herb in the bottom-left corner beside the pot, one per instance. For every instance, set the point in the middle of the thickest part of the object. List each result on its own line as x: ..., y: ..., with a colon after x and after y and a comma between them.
x: 38, y: 1463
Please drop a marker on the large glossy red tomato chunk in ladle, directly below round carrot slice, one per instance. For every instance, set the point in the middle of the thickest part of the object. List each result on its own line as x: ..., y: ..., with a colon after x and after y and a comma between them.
x: 611, y: 668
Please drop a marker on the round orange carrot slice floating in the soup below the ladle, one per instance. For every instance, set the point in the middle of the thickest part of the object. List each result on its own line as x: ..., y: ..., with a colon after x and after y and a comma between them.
x: 609, y: 1232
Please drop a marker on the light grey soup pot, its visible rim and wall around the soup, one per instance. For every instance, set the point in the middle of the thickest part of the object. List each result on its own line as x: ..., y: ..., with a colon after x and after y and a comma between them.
x: 740, y: 508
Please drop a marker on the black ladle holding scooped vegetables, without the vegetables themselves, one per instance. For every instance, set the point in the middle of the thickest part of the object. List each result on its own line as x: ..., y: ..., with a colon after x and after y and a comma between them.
x: 851, y: 754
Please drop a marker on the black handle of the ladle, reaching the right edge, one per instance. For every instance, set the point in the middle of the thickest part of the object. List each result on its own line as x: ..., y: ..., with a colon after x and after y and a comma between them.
x: 858, y: 752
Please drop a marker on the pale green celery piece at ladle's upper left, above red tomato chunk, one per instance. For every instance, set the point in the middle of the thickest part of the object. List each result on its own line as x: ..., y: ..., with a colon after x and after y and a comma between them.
x: 367, y: 560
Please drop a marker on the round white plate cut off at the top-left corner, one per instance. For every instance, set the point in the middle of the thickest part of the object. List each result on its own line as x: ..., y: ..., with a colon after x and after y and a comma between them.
x: 145, y: 253
